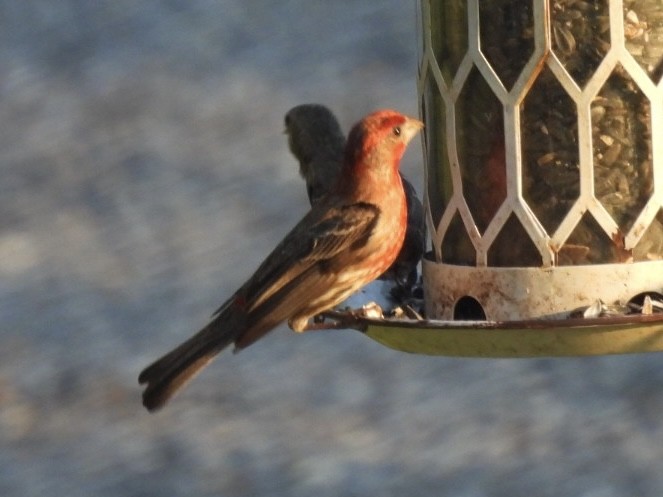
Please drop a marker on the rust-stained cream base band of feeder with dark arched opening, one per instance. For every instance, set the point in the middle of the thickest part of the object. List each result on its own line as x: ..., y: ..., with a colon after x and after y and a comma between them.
x: 507, y: 294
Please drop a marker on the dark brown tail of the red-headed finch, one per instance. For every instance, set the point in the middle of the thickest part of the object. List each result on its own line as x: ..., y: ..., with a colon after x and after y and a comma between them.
x: 167, y: 375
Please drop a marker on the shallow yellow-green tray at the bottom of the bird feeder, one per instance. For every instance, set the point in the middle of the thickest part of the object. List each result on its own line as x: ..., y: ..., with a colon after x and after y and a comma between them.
x: 511, y: 339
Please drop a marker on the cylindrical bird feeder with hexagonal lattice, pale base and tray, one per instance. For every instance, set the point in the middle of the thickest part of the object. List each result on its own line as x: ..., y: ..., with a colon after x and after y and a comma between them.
x: 544, y: 185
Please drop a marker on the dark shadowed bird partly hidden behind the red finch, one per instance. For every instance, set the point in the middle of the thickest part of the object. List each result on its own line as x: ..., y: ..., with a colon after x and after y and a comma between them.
x: 317, y: 142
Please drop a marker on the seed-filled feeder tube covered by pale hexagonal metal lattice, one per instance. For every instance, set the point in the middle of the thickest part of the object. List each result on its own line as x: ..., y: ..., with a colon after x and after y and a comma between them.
x: 539, y: 122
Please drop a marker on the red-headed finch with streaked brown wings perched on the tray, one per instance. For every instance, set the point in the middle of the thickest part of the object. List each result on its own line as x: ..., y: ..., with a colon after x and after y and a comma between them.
x: 345, y: 241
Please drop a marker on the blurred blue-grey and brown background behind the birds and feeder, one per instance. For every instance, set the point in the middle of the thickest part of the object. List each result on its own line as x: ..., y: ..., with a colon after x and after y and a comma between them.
x: 144, y: 175
